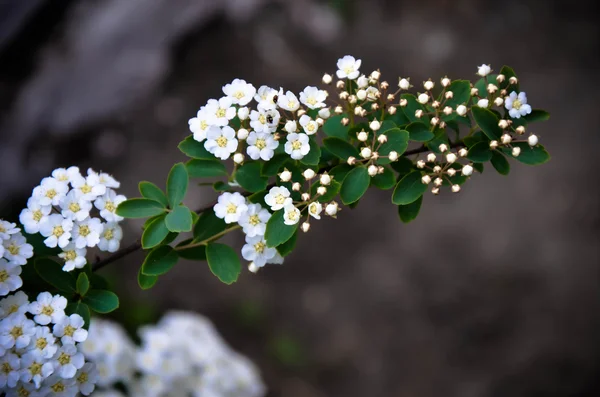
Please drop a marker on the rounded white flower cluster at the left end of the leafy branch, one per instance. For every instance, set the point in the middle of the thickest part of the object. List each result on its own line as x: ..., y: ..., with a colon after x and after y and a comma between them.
x: 61, y: 210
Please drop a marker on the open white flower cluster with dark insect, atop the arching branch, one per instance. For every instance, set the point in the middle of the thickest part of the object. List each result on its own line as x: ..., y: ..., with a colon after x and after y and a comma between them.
x: 255, y: 131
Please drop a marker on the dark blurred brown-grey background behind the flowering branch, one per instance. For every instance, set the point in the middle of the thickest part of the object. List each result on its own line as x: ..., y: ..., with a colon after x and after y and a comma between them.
x: 491, y: 292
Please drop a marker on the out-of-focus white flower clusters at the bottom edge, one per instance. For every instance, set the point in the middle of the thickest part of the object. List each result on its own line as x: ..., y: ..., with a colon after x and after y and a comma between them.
x: 183, y: 355
